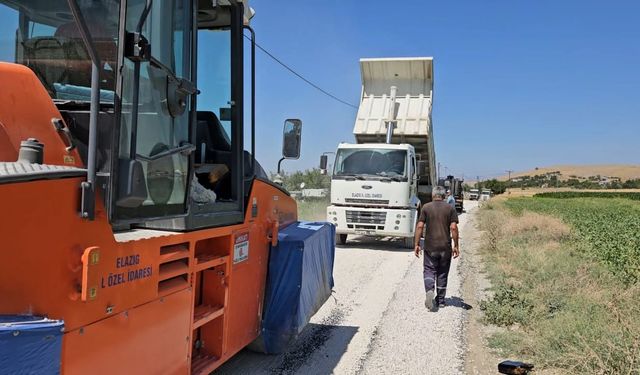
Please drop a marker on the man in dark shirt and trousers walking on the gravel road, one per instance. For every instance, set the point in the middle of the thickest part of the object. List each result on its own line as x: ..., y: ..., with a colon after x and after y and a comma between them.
x: 438, y: 224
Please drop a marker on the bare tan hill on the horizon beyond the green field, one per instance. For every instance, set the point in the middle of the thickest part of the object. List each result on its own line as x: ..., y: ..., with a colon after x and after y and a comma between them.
x: 622, y: 171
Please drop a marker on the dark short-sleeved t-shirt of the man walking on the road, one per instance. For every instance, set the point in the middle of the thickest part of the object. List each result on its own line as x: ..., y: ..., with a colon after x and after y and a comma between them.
x: 437, y: 216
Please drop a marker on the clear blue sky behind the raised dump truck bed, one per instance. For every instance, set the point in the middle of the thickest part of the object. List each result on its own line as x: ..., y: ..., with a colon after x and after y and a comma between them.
x: 519, y: 84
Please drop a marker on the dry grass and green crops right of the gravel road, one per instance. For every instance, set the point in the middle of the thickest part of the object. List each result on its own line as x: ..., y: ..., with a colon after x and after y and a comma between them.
x: 563, y: 304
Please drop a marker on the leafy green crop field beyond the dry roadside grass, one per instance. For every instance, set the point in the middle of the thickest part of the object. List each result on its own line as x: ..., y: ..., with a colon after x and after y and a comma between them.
x: 608, y: 228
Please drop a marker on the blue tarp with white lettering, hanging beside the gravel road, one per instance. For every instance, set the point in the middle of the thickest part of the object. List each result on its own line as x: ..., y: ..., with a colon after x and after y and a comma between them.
x: 299, y: 281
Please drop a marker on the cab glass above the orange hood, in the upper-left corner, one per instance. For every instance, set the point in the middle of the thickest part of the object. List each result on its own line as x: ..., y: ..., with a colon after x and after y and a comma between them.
x: 43, y: 36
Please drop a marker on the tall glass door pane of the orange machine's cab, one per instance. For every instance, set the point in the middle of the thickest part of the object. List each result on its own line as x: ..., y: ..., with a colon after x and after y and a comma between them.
x: 156, y: 127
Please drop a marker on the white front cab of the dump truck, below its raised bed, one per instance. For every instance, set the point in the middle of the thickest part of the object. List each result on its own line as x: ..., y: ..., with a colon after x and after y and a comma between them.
x: 374, y: 190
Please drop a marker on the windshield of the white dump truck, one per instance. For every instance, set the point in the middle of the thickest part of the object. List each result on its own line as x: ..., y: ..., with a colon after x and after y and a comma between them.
x: 376, y: 162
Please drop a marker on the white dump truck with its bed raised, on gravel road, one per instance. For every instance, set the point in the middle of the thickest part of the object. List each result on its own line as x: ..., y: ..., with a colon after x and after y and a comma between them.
x: 379, y: 182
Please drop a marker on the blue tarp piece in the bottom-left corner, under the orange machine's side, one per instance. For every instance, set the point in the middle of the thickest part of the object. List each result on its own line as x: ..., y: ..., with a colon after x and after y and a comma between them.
x: 30, y: 345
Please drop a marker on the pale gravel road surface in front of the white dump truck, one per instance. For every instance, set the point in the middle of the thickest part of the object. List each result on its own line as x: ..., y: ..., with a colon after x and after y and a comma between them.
x: 376, y: 322
